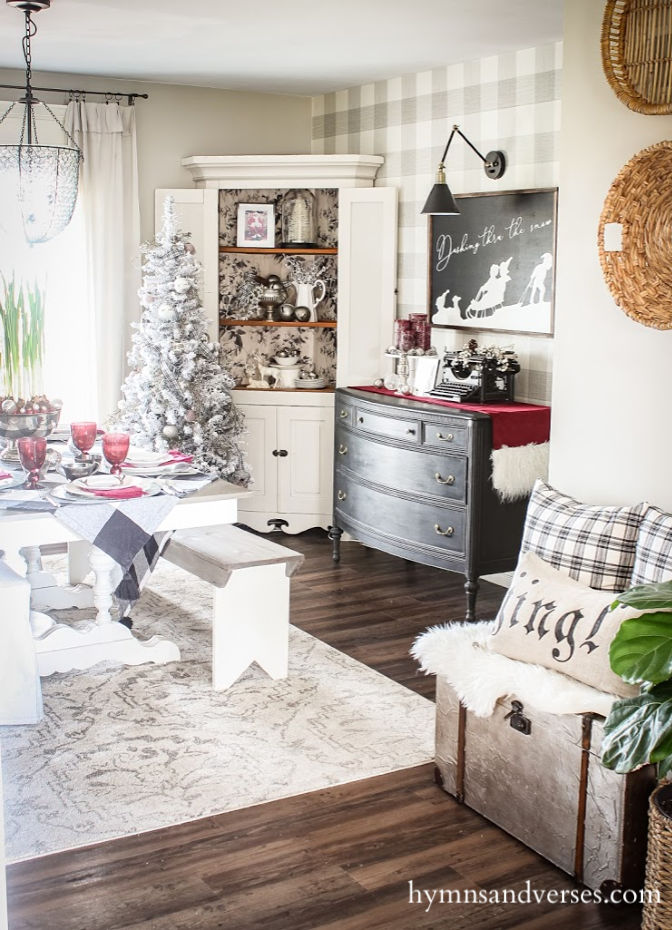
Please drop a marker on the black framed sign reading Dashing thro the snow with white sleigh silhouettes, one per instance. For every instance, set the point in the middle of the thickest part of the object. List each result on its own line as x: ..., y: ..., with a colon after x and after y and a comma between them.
x: 493, y: 265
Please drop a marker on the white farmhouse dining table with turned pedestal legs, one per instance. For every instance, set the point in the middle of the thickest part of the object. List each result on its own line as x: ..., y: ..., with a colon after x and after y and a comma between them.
x: 61, y: 647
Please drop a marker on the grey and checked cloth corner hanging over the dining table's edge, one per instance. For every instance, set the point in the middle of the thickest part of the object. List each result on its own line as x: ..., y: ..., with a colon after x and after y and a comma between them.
x: 125, y: 531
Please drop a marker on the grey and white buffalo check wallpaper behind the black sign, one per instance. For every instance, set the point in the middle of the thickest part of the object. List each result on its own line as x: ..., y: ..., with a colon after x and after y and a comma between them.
x: 509, y: 102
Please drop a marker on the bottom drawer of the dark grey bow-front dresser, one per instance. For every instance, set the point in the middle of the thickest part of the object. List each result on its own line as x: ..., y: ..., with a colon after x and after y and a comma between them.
x: 415, y: 522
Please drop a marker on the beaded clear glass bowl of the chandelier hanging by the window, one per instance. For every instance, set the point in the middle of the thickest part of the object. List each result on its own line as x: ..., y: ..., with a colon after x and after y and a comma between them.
x: 45, y: 178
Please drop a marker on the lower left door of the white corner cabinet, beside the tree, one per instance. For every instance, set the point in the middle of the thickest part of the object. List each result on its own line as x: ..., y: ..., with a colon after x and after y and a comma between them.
x: 259, y: 443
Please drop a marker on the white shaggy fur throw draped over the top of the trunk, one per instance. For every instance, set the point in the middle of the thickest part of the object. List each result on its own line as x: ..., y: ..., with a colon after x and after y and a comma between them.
x: 458, y: 652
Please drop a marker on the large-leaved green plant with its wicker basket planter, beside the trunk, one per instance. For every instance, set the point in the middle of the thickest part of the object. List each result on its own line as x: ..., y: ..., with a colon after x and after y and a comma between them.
x: 639, y: 729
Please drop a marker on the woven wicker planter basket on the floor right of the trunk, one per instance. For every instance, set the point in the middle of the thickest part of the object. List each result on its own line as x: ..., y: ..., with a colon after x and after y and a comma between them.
x: 658, y: 914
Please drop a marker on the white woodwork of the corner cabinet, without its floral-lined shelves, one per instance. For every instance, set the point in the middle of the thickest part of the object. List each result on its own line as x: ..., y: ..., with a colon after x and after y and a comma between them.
x: 366, y: 299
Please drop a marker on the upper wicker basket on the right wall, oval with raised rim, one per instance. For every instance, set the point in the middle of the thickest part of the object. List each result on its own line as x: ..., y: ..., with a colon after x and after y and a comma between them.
x: 637, y: 53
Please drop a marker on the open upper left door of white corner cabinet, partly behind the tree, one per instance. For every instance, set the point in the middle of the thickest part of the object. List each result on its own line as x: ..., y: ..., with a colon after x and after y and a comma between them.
x: 197, y: 214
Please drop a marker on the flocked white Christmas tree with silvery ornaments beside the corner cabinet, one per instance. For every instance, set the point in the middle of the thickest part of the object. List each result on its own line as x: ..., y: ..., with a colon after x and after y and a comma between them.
x: 176, y: 395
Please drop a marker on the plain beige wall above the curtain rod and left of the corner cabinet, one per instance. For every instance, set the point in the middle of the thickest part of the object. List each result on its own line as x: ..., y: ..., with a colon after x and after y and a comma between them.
x: 178, y: 120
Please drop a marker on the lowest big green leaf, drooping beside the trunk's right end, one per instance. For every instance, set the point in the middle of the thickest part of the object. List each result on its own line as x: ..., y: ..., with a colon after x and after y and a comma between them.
x: 636, y: 727
